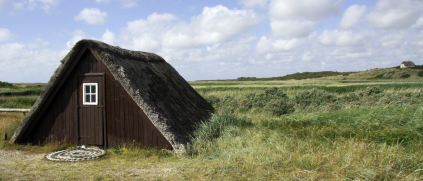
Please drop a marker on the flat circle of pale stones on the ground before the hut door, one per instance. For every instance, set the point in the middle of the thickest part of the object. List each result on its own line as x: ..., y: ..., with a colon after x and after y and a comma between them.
x: 79, y: 154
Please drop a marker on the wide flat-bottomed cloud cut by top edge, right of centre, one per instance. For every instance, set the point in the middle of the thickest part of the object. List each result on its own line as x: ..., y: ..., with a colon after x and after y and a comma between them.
x: 302, y: 9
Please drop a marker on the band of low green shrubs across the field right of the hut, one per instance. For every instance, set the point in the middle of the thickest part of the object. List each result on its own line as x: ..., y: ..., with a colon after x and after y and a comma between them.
x: 277, y: 102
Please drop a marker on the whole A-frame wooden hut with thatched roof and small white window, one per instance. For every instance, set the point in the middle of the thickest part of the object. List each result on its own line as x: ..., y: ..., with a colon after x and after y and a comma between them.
x: 105, y: 95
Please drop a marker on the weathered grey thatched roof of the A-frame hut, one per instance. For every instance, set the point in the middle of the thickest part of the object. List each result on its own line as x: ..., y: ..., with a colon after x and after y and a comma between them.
x: 172, y: 105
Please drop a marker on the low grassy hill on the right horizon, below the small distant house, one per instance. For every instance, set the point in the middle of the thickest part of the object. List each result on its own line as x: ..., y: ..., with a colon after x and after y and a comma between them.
x: 373, y: 74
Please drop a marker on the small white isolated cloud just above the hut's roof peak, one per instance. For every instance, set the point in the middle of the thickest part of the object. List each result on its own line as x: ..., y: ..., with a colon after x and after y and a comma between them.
x: 92, y: 16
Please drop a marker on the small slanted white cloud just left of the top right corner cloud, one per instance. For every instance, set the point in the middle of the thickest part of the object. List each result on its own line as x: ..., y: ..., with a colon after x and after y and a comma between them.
x: 352, y: 16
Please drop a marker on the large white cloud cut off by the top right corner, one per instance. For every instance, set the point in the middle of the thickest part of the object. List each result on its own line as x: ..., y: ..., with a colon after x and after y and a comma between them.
x: 392, y: 14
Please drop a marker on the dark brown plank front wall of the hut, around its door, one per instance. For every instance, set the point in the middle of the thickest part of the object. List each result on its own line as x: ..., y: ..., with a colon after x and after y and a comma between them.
x: 125, y: 121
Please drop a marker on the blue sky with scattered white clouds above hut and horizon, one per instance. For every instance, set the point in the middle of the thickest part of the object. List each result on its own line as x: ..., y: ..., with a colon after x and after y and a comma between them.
x: 215, y: 39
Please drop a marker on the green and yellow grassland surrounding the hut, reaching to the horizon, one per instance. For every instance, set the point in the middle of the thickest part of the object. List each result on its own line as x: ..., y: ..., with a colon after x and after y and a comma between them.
x: 327, y: 128
